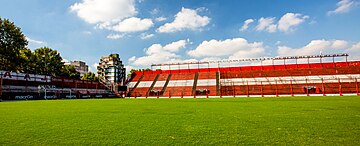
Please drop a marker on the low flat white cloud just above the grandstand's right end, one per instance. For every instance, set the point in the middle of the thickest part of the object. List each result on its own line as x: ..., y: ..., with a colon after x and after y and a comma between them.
x: 315, y: 47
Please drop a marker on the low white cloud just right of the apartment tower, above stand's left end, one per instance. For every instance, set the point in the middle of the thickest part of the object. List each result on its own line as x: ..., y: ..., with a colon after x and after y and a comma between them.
x: 157, y: 53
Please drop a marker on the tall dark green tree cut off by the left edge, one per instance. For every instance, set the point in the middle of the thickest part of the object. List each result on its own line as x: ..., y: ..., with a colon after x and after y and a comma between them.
x: 12, y: 41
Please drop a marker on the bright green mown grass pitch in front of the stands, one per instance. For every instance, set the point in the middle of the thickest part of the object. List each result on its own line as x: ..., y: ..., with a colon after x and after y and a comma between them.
x: 234, y: 121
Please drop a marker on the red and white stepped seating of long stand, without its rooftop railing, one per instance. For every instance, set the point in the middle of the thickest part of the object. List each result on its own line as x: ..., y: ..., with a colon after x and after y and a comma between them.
x: 299, y: 79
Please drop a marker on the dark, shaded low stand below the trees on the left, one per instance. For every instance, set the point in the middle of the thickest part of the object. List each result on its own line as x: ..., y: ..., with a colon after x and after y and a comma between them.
x: 32, y: 86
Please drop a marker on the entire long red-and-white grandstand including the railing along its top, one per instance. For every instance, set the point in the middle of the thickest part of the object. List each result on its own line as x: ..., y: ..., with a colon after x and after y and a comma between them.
x: 317, y: 75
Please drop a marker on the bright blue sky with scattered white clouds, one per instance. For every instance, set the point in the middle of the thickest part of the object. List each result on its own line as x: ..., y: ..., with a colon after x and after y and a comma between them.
x: 160, y: 31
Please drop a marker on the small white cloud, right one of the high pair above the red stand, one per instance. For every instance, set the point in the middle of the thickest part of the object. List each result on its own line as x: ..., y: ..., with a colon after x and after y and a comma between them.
x: 290, y: 20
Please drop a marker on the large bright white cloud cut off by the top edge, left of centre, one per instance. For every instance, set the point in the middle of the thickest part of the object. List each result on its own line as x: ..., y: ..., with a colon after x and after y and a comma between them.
x: 104, y: 11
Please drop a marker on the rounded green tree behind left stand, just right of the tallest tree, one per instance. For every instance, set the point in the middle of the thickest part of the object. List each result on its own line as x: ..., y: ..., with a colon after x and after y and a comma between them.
x: 48, y: 62
